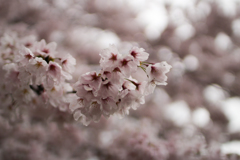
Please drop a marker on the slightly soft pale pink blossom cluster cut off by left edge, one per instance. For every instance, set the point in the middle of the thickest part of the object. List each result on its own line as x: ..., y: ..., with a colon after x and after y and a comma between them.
x: 32, y: 73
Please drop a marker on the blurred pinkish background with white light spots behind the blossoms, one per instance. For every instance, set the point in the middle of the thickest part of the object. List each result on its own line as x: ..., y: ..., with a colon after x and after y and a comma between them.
x: 196, y: 116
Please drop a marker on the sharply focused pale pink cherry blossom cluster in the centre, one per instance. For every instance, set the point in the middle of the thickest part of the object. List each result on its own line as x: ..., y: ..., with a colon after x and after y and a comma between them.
x: 114, y: 90
